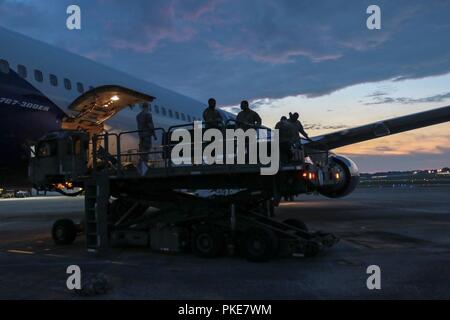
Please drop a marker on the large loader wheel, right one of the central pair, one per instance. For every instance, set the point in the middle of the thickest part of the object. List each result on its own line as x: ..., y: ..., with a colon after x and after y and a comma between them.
x: 259, y: 245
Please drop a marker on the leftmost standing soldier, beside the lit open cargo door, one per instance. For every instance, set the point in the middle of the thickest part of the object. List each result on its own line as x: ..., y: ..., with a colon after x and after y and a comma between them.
x: 146, y: 131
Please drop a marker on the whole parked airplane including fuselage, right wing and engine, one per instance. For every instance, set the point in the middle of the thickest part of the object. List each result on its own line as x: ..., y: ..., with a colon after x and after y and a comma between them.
x: 38, y: 82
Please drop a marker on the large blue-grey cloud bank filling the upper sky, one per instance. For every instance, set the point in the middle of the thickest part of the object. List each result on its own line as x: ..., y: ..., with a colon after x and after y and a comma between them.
x: 249, y: 49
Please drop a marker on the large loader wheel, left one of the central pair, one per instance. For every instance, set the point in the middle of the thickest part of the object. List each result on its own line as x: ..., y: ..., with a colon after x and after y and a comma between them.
x: 207, y: 242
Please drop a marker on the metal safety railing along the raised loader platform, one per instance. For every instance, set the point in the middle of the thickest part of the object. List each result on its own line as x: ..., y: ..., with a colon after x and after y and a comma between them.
x: 109, y: 149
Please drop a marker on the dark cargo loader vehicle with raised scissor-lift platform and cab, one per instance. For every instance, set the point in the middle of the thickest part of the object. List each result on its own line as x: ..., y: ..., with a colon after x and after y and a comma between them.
x: 204, y: 208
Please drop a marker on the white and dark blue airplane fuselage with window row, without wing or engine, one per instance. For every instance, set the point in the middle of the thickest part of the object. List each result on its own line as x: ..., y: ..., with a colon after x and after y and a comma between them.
x: 39, y: 81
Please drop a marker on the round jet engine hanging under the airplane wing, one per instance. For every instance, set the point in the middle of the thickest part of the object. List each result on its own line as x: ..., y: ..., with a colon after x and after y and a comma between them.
x: 345, y: 174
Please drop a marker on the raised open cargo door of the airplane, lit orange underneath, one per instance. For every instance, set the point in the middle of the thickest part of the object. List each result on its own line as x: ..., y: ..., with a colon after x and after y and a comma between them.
x: 93, y: 108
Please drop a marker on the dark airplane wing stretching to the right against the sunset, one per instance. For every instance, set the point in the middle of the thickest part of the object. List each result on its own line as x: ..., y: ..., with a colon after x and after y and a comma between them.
x: 379, y: 129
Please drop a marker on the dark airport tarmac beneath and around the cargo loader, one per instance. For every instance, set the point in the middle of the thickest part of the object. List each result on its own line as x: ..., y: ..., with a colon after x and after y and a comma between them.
x: 404, y: 231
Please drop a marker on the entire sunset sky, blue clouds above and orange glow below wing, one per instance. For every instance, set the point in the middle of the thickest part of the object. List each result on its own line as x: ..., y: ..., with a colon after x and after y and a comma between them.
x: 314, y: 57
